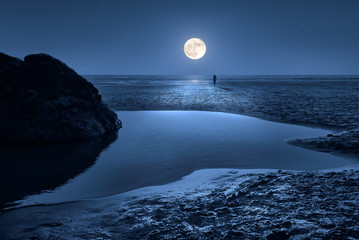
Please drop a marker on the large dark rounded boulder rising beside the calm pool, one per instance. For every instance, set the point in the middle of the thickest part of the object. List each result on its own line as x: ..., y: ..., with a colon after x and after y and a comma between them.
x: 42, y: 99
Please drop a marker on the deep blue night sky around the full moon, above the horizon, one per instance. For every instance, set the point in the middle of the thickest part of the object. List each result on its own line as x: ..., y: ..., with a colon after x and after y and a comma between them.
x: 147, y: 37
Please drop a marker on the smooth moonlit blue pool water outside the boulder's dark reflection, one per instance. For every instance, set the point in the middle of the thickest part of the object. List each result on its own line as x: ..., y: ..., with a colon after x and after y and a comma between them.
x: 159, y: 147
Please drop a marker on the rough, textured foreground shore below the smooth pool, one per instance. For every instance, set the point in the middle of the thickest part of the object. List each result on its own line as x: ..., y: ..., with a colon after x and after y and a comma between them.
x: 224, y: 205
